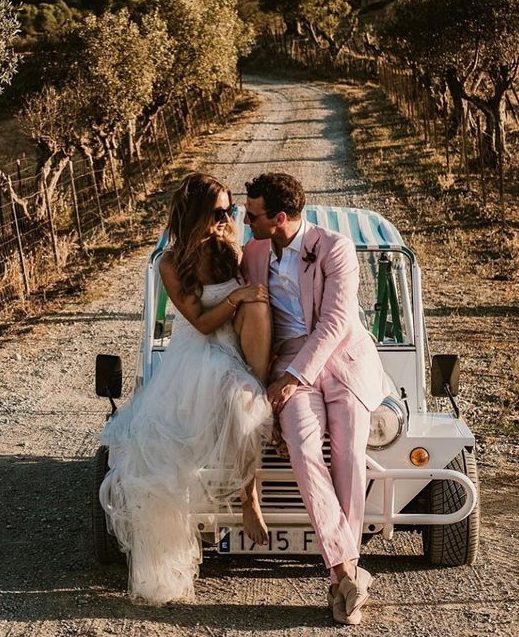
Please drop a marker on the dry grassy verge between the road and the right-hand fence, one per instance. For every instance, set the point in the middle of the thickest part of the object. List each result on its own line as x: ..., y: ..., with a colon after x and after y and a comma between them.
x: 469, y: 255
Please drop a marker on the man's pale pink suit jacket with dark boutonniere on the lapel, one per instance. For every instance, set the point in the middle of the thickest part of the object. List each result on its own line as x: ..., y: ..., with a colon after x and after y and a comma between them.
x: 337, y: 337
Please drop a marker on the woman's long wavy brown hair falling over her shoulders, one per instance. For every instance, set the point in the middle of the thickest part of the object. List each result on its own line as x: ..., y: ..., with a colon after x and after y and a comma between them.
x: 192, y: 214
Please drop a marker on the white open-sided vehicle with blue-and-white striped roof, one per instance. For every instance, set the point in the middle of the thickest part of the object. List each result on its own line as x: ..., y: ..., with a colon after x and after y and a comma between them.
x: 421, y: 465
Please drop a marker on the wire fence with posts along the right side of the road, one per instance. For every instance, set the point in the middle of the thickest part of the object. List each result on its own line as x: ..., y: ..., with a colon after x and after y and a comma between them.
x: 463, y: 149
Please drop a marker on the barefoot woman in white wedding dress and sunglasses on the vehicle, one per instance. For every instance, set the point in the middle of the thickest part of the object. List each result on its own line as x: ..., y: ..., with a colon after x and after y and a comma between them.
x: 191, y: 439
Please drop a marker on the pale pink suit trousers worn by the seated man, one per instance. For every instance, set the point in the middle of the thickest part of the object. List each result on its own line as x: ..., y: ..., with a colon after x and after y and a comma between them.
x: 334, y: 499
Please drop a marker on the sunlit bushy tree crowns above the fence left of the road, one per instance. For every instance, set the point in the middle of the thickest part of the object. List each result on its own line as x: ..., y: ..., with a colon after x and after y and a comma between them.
x: 122, y: 67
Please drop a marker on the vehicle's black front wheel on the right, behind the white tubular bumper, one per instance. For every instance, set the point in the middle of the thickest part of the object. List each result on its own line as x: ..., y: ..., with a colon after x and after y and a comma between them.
x: 453, y: 544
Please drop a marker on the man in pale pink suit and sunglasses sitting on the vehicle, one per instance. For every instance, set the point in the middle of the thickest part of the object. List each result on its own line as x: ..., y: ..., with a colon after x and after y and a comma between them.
x: 326, y: 374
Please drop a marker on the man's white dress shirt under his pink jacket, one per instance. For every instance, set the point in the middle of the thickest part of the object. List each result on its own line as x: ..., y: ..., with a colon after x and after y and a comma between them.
x: 285, y: 294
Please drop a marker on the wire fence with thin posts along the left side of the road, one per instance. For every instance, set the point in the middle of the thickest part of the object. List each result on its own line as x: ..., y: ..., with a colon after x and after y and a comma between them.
x: 43, y: 222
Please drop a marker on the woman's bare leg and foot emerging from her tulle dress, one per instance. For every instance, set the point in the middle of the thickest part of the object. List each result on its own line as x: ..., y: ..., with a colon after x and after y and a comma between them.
x: 254, y: 328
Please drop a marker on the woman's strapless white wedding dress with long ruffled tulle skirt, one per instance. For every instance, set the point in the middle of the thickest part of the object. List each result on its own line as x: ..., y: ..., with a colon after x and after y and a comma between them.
x: 187, y: 442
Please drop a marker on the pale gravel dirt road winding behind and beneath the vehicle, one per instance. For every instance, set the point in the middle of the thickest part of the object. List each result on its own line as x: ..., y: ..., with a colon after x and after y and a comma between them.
x: 49, y: 418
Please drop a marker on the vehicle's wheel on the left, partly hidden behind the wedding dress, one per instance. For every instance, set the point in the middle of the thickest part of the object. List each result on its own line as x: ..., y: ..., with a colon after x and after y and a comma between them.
x: 105, y: 545
